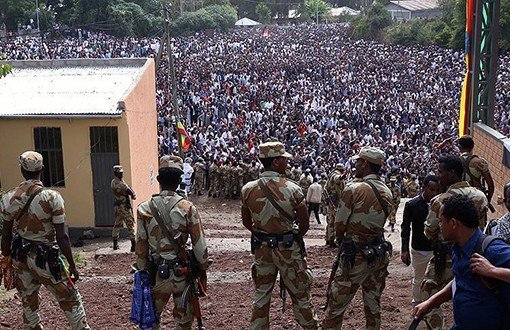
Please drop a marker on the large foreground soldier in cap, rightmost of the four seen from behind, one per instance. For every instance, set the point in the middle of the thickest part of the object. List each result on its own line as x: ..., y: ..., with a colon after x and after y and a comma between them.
x: 359, y: 224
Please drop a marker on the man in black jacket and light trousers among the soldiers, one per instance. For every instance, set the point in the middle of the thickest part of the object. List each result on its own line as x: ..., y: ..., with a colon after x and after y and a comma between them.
x: 415, y: 214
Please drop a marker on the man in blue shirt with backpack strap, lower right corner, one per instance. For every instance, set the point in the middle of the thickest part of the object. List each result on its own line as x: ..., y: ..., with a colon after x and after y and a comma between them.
x: 474, y: 305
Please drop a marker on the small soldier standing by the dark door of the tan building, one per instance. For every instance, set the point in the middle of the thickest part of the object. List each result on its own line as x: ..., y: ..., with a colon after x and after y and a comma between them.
x: 122, y: 207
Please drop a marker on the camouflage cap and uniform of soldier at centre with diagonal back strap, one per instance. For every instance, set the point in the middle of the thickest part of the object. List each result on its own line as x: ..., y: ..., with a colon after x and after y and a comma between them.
x: 268, y: 261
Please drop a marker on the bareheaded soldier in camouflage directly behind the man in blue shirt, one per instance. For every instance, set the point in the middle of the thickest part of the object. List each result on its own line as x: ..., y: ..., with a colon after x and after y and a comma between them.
x: 450, y: 172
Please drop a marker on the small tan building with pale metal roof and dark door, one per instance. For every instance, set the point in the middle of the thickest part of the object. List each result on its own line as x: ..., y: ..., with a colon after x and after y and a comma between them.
x: 83, y: 116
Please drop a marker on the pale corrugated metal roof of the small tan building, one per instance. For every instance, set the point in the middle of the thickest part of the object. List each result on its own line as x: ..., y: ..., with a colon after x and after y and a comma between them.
x: 69, y: 89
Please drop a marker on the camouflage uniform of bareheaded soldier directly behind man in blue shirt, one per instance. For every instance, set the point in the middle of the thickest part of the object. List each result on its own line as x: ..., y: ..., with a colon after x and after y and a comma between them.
x: 431, y: 283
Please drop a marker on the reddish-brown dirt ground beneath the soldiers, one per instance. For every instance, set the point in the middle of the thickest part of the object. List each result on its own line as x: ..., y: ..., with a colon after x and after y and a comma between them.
x: 106, y: 282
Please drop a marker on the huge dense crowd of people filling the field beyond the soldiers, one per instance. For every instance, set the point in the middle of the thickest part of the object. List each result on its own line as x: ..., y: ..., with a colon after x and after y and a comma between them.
x: 239, y: 88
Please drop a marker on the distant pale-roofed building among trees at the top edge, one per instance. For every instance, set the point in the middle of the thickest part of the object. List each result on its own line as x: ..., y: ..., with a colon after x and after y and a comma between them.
x: 411, y: 9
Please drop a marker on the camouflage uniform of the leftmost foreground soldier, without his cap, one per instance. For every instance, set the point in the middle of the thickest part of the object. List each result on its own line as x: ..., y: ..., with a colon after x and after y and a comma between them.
x: 36, y: 225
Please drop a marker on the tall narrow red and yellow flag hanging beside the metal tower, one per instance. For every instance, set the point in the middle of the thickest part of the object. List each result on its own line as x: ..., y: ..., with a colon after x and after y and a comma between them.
x: 464, y: 113
